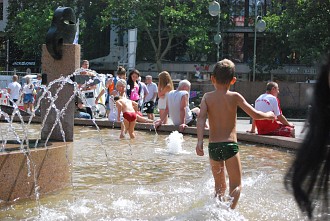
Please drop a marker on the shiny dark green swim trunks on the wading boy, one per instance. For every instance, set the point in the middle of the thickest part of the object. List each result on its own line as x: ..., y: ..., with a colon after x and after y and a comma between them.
x: 222, y: 150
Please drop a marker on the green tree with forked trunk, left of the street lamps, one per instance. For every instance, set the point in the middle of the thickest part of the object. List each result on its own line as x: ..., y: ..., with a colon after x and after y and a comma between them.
x: 163, y: 21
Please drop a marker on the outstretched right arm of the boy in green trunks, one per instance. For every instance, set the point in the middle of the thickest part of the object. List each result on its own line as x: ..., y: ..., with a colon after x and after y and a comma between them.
x: 247, y: 108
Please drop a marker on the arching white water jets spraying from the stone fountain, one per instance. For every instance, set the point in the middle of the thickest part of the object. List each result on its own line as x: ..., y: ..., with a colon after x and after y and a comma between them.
x: 23, y: 140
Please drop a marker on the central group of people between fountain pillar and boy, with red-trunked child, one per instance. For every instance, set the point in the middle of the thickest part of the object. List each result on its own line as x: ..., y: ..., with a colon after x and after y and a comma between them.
x: 126, y: 93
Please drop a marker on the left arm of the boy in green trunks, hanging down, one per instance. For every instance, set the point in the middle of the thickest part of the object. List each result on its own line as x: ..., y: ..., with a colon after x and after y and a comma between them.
x: 201, y: 126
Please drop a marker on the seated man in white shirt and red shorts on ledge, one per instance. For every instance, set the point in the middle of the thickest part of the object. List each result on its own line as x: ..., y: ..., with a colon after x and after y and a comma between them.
x: 269, y: 102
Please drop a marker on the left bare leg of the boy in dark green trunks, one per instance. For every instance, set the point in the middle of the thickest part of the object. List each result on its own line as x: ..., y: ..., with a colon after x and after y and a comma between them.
x: 218, y: 171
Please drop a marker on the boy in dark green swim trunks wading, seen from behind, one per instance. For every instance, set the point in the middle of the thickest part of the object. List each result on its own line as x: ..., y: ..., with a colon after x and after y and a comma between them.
x: 220, y: 106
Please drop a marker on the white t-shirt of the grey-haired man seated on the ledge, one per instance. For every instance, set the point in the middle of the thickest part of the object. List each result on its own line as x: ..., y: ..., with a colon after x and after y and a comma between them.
x: 173, y: 101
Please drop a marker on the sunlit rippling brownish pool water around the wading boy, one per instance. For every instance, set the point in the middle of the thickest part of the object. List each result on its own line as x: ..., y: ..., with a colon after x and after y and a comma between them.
x: 141, y: 179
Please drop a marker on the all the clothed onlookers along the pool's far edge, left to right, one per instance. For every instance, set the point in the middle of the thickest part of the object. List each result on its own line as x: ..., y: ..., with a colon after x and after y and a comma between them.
x: 151, y: 98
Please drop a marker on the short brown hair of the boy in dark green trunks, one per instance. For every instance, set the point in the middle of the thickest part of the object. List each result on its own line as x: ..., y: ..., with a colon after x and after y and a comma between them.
x: 224, y: 71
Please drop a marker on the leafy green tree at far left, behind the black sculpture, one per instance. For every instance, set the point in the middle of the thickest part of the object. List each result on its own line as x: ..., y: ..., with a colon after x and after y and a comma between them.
x: 29, y: 21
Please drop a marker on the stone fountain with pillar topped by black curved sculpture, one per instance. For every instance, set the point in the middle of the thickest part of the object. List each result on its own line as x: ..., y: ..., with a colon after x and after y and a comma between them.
x: 32, y: 167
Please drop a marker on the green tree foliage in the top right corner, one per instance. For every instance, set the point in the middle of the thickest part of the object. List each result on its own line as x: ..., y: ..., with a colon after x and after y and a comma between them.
x: 309, y: 28
